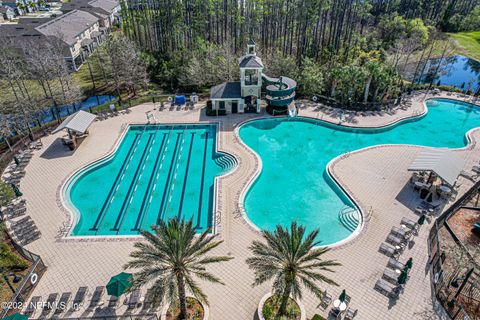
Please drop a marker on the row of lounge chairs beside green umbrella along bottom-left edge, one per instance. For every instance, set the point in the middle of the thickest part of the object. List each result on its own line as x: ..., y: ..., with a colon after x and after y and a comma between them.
x: 58, y: 305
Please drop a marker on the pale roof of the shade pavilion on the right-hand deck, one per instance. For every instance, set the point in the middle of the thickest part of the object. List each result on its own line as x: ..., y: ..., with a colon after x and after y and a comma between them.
x: 444, y: 163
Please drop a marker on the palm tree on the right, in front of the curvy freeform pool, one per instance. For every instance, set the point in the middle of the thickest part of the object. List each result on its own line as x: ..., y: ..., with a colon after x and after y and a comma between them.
x: 290, y: 258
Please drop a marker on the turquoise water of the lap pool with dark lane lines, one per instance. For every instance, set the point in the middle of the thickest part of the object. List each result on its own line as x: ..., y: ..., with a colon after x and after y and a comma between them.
x: 157, y: 171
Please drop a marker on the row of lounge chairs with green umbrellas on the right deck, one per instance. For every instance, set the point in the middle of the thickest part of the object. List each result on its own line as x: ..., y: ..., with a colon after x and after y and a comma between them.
x: 396, y: 242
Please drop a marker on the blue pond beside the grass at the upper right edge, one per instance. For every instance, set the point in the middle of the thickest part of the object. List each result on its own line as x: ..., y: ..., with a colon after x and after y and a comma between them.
x: 457, y: 71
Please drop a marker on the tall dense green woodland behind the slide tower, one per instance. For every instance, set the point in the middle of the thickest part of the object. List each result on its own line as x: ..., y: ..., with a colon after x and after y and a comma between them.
x: 350, y: 50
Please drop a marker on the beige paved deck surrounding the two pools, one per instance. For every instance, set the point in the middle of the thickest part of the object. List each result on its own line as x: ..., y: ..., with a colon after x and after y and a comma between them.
x: 376, y: 177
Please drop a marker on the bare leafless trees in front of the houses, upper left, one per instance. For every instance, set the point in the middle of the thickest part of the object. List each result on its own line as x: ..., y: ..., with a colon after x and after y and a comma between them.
x: 34, y: 76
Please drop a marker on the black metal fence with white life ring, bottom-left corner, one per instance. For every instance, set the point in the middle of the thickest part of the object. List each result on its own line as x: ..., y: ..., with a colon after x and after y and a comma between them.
x: 23, y: 291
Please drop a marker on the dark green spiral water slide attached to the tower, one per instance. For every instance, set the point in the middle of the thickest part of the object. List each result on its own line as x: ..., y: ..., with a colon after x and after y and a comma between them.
x: 280, y: 91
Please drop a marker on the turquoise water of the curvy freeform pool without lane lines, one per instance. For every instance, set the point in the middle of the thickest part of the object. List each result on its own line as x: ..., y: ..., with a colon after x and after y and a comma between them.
x: 293, y: 184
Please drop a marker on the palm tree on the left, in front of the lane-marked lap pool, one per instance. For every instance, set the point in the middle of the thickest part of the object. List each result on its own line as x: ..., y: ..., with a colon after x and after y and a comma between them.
x: 170, y: 257
